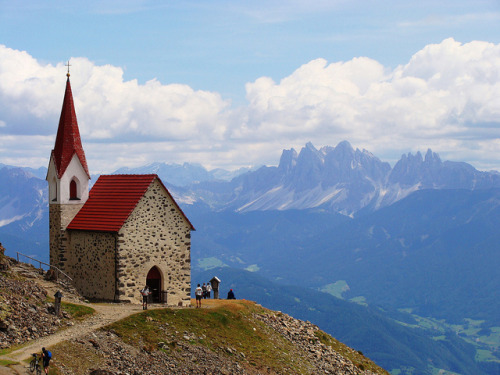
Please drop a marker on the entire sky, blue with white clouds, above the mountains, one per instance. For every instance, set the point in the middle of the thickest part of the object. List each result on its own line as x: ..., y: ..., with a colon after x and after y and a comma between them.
x: 230, y: 84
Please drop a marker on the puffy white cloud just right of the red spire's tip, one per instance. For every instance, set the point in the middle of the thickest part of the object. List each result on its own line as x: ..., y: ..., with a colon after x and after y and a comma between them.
x: 113, y: 108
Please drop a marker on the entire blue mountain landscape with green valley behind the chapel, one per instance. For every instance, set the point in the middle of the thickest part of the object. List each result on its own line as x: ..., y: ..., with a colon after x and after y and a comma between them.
x: 419, y: 239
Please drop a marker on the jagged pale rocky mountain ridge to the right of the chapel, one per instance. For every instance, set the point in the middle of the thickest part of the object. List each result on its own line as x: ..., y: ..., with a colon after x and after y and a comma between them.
x: 339, y: 179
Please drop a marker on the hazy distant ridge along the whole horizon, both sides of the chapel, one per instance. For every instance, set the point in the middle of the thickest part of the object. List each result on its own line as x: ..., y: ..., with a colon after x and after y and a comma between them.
x: 337, y: 179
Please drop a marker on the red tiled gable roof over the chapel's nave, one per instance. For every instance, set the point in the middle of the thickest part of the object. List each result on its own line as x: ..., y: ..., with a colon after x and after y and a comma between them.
x: 112, y: 200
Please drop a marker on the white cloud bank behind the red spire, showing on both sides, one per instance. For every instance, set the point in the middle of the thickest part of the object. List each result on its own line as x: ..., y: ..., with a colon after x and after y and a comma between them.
x: 106, y: 105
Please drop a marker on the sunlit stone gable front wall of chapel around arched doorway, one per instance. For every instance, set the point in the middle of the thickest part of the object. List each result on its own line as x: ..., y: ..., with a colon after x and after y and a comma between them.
x: 155, y: 234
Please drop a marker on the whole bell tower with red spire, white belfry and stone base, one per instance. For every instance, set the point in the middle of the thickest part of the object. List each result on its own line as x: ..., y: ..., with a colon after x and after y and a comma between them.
x: 68, y: 177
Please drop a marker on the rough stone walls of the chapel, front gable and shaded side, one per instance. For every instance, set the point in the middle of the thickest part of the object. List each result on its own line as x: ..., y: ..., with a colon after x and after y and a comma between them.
x: 114, y: 266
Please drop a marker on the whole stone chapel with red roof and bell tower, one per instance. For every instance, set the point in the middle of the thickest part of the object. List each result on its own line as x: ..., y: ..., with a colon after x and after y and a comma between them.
x: 123, y: 234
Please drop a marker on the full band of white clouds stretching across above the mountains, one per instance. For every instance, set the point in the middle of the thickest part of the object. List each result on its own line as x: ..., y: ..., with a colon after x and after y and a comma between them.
x: 447, y: 97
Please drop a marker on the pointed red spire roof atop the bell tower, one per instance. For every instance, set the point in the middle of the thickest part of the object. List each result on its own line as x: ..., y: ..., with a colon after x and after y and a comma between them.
x: 68, y: 140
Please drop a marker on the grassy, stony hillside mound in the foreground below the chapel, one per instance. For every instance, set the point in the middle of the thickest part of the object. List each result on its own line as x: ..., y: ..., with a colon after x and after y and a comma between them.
x: 228, y: 337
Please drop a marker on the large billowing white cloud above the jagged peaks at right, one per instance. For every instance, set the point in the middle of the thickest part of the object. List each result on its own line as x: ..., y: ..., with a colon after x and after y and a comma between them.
x: 447, y: 91
